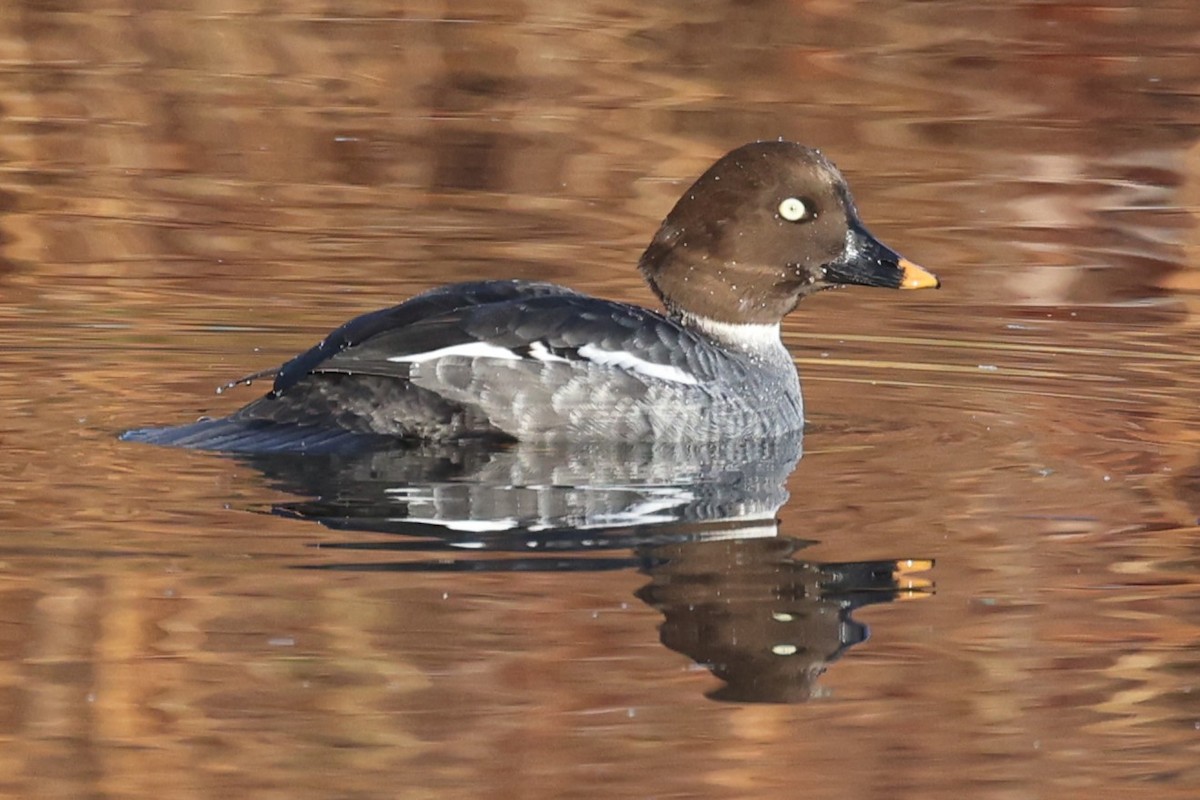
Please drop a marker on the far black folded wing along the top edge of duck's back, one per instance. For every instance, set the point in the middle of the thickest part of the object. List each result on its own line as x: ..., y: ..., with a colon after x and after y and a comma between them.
x: 433, y: 304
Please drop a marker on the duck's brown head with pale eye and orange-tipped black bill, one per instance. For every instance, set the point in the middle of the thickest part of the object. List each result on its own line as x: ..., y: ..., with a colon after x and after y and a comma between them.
x: 766, y: 226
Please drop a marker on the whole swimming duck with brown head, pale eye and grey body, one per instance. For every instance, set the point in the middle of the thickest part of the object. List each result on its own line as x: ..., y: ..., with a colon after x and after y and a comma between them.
x: 766, y: 226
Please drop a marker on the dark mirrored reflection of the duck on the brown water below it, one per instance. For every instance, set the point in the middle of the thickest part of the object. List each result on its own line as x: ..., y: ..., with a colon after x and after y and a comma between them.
x: 699, y: 520
